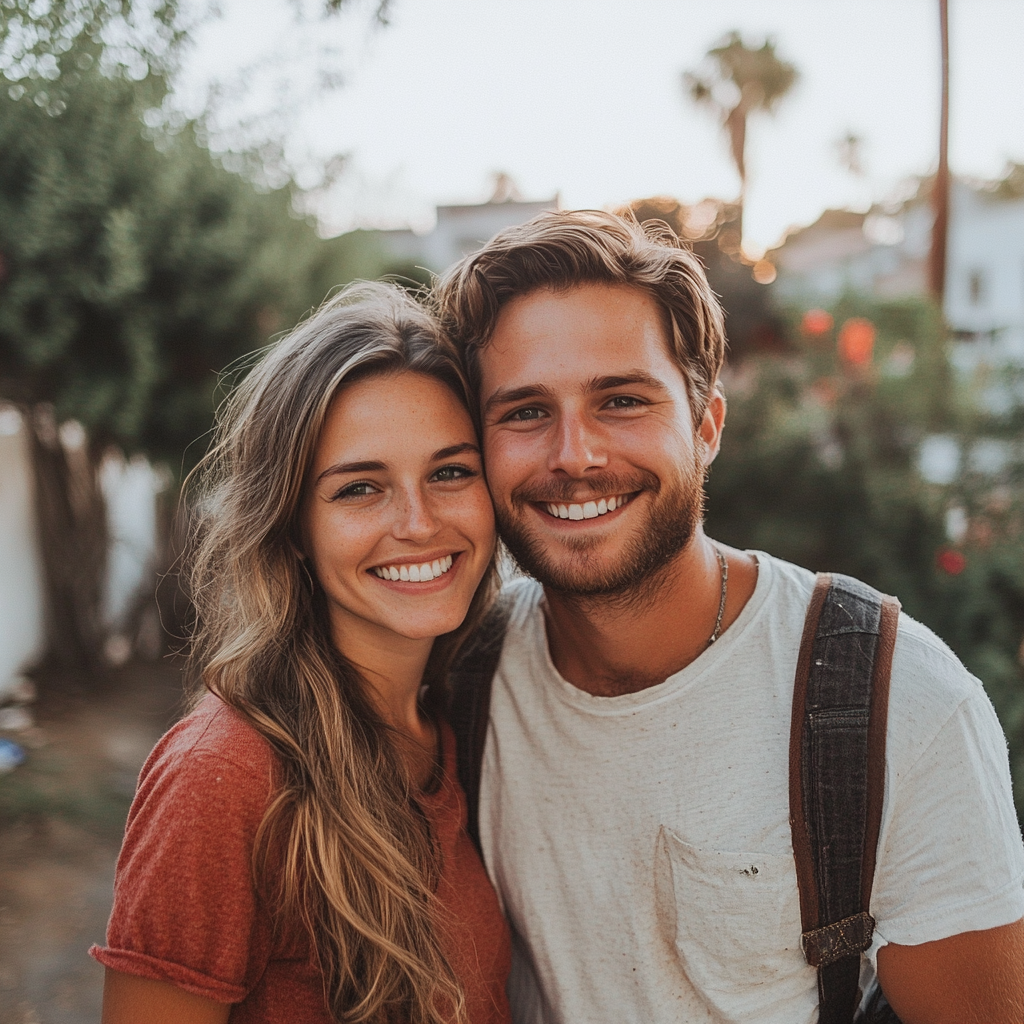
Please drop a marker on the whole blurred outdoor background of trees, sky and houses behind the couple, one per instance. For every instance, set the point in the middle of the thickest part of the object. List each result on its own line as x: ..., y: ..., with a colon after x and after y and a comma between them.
x: 181, y: 182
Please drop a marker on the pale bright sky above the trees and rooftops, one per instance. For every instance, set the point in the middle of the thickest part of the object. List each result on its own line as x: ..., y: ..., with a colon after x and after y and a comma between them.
x: 584, y: 99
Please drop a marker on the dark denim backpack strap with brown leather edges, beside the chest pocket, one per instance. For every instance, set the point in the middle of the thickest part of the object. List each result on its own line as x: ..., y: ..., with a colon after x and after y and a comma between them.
x: 837, y: 779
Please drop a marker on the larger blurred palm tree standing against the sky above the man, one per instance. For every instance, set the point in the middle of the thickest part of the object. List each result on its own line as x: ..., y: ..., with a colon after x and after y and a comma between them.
x: 740, y: 80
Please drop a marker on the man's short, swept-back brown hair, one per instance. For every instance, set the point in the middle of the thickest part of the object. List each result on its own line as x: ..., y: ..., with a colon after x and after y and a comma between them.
x: 581, y: 247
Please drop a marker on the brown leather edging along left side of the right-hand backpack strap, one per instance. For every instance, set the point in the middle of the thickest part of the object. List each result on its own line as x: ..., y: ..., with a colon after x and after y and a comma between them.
x: 798, y: 825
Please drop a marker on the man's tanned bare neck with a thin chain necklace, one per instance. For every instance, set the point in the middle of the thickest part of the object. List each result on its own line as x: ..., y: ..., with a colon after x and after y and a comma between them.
x: 622, y: 645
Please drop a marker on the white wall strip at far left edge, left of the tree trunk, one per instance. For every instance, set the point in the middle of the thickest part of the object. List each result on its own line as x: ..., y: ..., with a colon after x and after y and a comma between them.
x: 21, y: 588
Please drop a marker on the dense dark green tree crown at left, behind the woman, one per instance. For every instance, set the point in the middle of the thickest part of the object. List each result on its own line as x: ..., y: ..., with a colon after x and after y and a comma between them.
x: 136, y: 267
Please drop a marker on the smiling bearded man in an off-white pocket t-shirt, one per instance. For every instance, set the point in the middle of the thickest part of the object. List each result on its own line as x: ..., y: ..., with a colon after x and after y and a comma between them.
x: 634, y: 801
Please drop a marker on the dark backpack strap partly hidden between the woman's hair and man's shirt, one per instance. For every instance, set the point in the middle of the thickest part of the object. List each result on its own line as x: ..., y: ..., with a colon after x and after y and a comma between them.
x: 470, y: 708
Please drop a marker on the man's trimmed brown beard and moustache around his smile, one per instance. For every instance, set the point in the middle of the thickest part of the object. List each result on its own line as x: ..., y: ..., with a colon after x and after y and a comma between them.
x: 675, y: 513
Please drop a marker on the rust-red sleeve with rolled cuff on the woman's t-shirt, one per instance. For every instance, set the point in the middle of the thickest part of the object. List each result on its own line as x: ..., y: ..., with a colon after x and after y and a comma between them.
x: 186, y: 910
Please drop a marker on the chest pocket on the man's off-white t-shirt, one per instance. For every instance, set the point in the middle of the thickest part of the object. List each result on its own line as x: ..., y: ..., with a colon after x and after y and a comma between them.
x: 735, y: 920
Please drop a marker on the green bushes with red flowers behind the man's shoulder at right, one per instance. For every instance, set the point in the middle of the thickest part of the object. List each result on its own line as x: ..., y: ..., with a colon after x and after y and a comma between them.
x: 820, y: 466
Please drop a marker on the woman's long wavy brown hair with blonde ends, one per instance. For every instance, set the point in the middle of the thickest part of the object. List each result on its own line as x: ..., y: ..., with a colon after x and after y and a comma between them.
x: 354, y: 855
